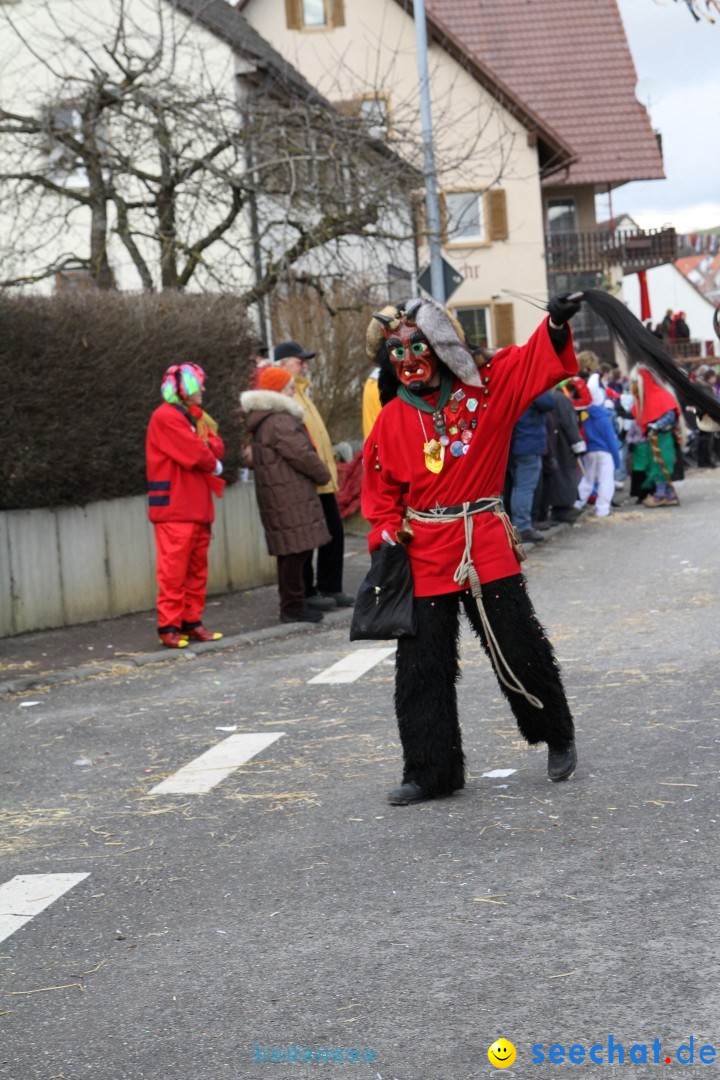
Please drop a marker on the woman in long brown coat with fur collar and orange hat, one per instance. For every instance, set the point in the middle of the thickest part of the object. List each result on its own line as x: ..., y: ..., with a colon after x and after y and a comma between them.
x: 288, y: 471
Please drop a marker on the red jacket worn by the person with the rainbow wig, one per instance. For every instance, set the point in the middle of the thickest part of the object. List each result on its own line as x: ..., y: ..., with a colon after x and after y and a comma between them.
x: 180, y: 467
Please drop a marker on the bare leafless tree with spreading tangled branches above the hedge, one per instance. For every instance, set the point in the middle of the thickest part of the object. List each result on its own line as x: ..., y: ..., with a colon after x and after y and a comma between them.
x: 139, y: 155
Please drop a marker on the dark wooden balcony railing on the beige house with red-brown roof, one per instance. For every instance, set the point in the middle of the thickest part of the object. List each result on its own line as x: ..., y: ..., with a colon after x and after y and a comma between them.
x: 575, y: 252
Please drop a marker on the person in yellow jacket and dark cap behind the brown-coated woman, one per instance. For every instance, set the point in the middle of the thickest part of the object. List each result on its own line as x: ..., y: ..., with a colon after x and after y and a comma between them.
x: 327, y: 591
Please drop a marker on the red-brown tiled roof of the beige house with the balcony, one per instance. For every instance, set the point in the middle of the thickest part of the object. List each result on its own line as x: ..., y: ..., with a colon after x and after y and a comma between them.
x: 572, y: 64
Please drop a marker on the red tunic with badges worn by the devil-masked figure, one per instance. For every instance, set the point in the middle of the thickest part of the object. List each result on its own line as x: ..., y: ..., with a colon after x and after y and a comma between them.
x: 514, y: 379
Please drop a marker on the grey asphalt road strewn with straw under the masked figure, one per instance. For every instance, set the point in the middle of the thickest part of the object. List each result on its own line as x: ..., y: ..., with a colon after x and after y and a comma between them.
x: 290, y: 907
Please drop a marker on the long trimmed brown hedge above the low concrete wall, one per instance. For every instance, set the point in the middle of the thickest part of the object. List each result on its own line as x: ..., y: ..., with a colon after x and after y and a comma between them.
x: 81, y: 376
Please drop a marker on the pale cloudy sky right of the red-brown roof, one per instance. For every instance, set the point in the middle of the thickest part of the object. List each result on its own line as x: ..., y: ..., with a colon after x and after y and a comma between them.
x: 678, y: 66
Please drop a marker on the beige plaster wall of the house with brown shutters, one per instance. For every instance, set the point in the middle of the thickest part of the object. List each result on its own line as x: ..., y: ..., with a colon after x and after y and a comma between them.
x: 479, y: 143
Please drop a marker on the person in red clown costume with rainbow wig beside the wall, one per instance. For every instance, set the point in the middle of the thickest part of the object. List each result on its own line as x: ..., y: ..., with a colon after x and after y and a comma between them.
x: 184, y: 465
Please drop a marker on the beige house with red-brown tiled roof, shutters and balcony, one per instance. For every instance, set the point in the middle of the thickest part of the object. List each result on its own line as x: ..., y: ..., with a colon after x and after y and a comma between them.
x: 535, y: 115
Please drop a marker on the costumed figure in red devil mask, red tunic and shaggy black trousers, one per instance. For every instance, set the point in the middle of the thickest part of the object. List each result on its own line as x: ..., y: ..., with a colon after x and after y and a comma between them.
x: 434, y: 471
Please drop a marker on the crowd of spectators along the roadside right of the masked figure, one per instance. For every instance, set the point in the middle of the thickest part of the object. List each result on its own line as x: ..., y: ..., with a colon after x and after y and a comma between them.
x: 579, y: 445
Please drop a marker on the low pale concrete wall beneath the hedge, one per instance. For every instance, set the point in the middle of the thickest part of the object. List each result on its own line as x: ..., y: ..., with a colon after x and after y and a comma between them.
x: 70, y: 565
